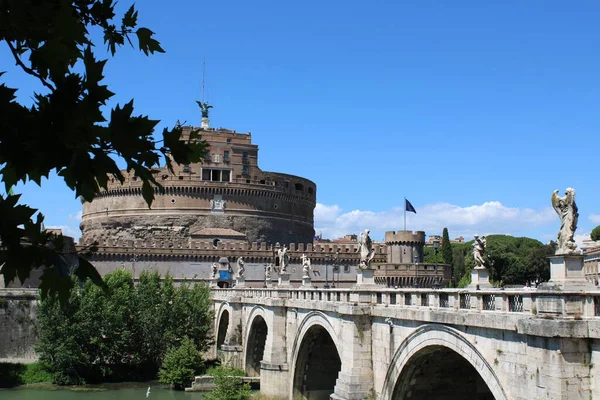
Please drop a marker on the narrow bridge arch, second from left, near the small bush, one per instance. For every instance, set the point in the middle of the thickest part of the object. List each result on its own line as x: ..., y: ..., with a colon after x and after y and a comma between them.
x: 255, y: 340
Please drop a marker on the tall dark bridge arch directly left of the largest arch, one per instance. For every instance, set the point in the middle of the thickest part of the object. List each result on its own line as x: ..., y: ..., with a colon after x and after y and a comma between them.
x: 316, y: 342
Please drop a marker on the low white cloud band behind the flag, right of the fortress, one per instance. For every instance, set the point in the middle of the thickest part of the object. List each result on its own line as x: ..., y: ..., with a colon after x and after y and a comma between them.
x: 487, y: 218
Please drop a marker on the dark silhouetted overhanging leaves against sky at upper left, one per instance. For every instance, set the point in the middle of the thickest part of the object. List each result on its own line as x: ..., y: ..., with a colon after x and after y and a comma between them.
x: 65, y: 130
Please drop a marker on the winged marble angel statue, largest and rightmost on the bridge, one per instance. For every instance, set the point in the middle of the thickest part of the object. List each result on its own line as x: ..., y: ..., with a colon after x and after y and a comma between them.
x: 566, y: 209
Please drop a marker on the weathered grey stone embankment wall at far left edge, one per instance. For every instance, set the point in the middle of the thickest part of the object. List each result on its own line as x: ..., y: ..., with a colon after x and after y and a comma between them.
x: 18, y: 330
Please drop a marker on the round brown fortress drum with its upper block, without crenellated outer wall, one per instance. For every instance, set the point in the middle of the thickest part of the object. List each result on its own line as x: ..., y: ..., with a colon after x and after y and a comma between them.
x: 227, y: 196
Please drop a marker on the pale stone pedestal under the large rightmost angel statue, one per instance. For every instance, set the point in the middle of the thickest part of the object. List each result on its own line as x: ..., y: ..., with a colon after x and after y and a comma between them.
x: 566, y: 273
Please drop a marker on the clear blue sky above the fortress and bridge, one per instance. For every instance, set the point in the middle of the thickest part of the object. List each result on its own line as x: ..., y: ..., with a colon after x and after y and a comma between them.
x: 474, y: 110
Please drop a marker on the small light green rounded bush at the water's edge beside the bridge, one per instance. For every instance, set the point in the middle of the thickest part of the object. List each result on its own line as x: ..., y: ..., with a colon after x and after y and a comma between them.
x: 180, y: 365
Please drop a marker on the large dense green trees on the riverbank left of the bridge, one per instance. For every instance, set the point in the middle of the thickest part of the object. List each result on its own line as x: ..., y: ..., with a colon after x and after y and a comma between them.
x: 123, y: 334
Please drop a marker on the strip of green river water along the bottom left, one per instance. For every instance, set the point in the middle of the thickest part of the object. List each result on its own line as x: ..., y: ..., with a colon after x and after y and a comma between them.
x: 130, y: 391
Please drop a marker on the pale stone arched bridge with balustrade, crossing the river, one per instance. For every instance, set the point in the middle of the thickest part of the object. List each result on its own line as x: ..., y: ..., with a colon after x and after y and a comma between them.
x: 413, y: 343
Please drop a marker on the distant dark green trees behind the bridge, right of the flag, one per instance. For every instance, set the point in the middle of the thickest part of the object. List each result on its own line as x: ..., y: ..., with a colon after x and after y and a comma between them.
x: 510, y: 260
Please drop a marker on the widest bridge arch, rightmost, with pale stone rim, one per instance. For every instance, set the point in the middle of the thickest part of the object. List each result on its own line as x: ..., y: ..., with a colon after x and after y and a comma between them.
x: 428, y: 345
